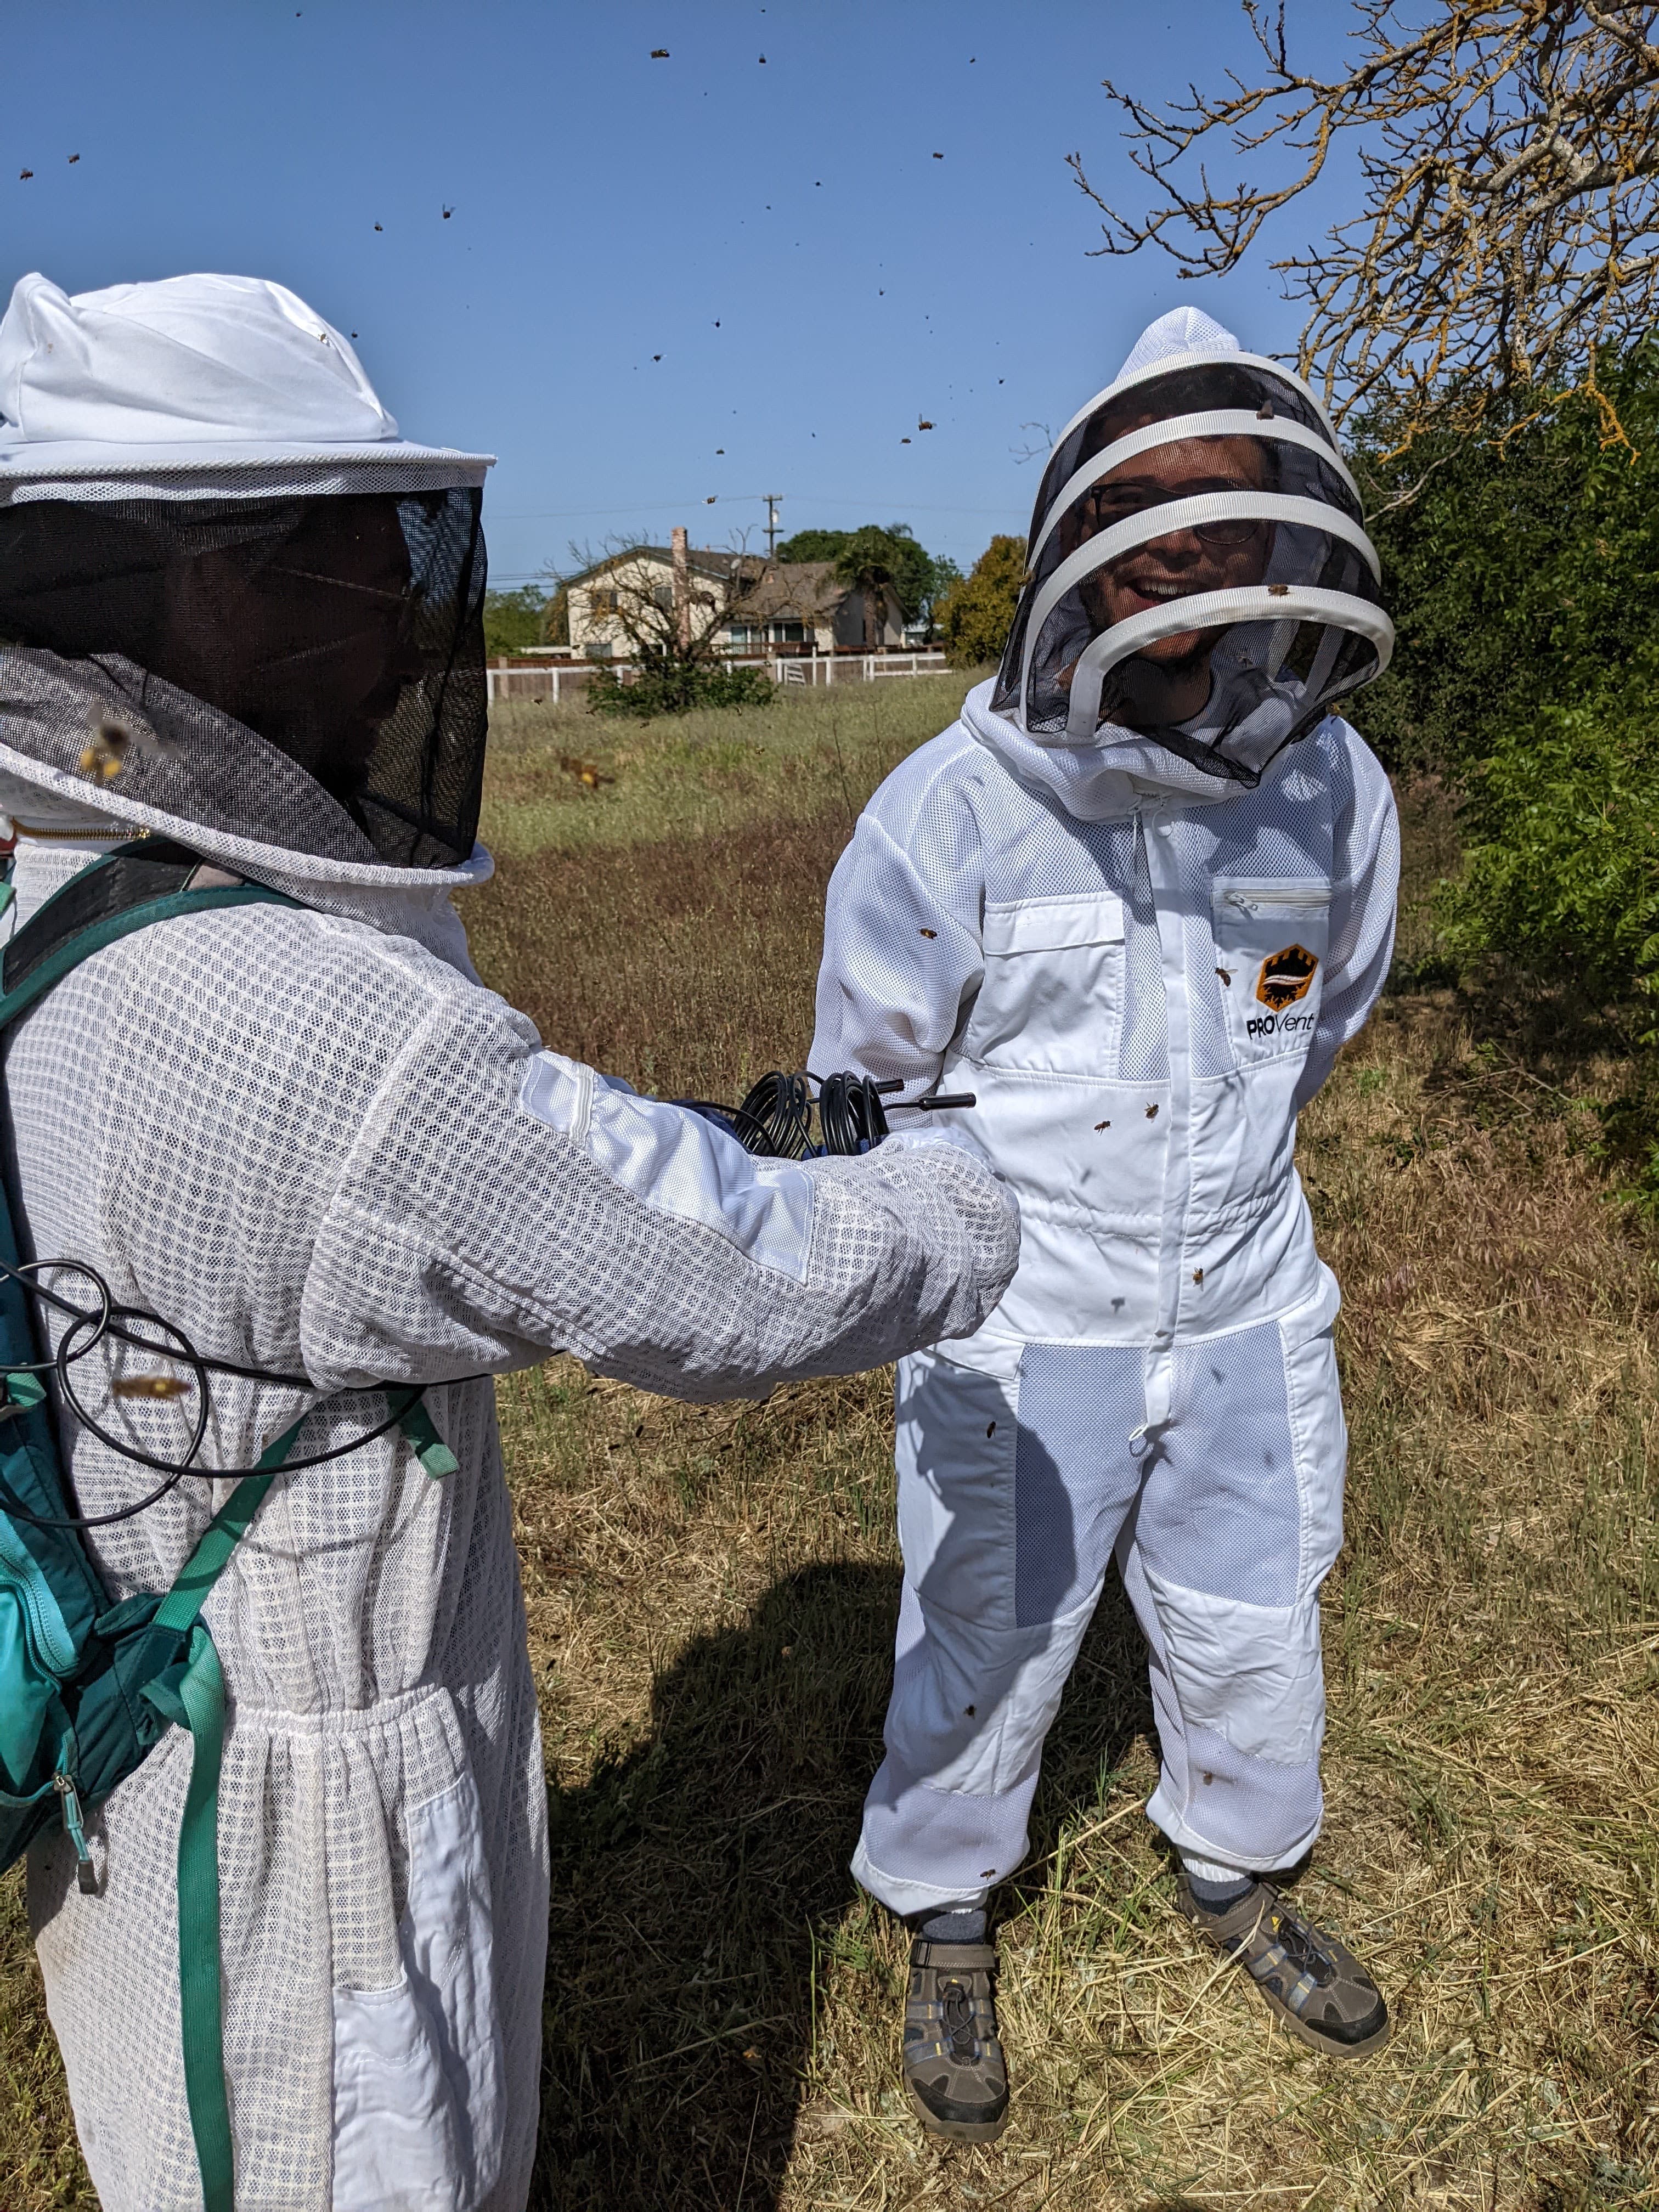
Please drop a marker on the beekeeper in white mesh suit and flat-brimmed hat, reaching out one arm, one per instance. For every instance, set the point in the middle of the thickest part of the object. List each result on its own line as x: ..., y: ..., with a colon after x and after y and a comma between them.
x: 244, y: 614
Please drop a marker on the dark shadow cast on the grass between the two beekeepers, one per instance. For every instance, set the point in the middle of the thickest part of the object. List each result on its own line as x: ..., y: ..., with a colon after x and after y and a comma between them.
x: 696, y: 1875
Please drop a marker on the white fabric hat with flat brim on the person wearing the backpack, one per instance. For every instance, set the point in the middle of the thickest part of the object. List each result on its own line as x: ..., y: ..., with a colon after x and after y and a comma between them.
x: 196, y: 388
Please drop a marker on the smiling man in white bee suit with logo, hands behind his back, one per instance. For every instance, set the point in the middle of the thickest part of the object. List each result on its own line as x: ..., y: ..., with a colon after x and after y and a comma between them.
x: 1134, y: 901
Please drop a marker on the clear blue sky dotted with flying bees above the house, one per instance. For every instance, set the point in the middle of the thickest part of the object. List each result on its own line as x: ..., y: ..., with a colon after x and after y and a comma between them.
x: 662, y: 280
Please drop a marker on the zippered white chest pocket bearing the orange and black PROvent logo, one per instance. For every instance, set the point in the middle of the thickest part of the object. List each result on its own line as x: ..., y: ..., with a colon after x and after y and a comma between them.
x: 1271, y: 943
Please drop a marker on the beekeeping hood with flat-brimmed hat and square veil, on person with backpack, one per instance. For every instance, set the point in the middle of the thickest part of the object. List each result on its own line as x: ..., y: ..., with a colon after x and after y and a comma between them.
x: 233, y: 601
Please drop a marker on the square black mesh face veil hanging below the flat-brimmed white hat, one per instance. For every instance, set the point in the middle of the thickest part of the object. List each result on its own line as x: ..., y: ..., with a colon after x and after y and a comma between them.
x: 346, y: 632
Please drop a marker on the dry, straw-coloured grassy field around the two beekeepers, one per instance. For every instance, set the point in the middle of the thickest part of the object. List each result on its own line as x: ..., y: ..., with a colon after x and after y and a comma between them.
x: 713, y: 1594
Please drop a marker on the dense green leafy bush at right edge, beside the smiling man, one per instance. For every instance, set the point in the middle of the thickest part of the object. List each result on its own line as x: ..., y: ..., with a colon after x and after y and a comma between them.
x: 1525, y: 585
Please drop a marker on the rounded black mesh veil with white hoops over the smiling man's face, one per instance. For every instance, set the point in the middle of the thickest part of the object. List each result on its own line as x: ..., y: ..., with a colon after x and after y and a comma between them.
x: 1196, y: 574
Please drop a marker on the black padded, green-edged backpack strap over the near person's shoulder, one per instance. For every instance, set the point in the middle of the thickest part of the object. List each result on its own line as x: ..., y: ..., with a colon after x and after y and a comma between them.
x: 134, y: 886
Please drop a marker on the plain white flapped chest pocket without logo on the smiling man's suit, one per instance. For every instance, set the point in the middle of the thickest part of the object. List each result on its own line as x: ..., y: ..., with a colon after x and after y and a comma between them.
x: 1054, y: 985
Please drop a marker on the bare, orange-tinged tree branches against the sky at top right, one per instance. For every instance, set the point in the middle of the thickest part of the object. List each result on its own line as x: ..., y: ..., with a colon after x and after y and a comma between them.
x: 1510, y: 218
